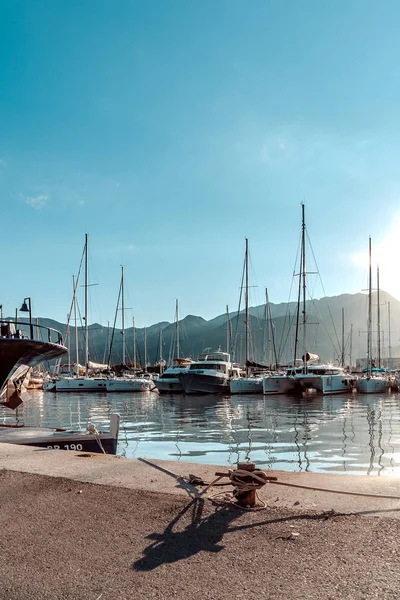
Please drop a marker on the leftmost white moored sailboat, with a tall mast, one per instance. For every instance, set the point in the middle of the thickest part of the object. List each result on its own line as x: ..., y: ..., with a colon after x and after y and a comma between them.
x: 85, y: 383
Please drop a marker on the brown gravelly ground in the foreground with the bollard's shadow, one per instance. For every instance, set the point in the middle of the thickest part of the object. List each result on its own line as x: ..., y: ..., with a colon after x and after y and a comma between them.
x: 64, y: 539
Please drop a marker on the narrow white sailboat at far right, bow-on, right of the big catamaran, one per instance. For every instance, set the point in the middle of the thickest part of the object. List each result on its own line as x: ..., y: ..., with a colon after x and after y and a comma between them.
x: 373, y: 380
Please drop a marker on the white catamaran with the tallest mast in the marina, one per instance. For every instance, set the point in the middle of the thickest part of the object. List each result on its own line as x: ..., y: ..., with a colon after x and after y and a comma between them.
x: 322, y: 378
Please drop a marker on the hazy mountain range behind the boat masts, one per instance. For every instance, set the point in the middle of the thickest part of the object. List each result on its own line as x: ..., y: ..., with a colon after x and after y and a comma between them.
x: 326, y: 330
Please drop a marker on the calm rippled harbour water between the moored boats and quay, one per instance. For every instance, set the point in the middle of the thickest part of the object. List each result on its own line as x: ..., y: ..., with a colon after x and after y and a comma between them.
x: 340, y: 434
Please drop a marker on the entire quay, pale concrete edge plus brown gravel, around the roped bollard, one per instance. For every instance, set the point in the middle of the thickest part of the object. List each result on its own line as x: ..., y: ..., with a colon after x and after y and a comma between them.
x: 95, y: 527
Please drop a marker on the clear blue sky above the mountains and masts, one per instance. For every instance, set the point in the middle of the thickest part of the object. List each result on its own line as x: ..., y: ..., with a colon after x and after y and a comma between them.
x: 170, y: 131
